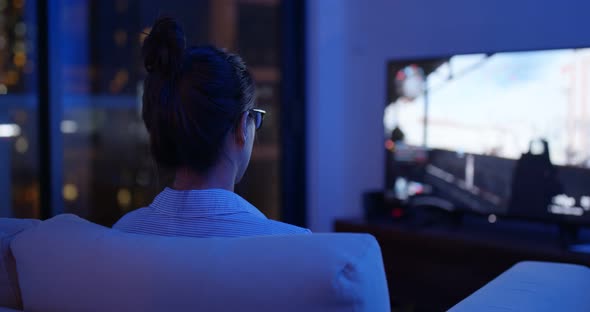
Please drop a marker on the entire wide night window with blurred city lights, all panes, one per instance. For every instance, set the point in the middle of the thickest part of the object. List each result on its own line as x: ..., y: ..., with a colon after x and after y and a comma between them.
x: 103, y: 167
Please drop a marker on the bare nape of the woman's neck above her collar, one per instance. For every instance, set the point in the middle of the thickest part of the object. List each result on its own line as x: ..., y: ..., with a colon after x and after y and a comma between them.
x: 219, y: 177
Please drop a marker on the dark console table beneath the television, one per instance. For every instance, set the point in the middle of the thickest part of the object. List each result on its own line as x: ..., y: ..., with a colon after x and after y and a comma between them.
x: 431, y: 268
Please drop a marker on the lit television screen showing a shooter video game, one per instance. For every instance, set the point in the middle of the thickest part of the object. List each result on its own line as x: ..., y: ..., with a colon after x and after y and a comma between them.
x: 506, y: 133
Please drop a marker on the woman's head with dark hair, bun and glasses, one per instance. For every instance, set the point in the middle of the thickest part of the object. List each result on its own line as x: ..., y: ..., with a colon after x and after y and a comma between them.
x: 197, y: 102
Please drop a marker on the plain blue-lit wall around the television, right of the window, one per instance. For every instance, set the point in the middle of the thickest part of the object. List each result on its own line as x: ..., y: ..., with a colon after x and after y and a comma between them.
x: 348, y: 45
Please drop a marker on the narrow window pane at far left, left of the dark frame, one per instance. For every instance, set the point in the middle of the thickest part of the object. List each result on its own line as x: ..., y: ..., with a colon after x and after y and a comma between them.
x: 18, y: 110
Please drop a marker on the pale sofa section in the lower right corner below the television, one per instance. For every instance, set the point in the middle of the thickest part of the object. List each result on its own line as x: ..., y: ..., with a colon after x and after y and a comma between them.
x: 533, y: 286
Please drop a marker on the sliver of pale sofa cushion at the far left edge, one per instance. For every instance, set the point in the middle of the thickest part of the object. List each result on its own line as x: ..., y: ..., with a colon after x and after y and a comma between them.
x: 9, y: 290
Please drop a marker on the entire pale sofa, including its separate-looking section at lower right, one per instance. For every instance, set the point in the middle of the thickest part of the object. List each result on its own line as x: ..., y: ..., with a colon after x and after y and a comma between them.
x: 69, y: 264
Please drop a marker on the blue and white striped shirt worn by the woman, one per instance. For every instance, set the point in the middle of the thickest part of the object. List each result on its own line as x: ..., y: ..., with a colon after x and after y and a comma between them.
x: 202, y: 213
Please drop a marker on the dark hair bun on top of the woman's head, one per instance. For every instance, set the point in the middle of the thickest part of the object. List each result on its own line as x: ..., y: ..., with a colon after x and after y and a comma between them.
x: 163, y: 49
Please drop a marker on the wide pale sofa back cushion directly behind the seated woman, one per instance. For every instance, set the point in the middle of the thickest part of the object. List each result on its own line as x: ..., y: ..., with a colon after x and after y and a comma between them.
x: 87, y: 267
